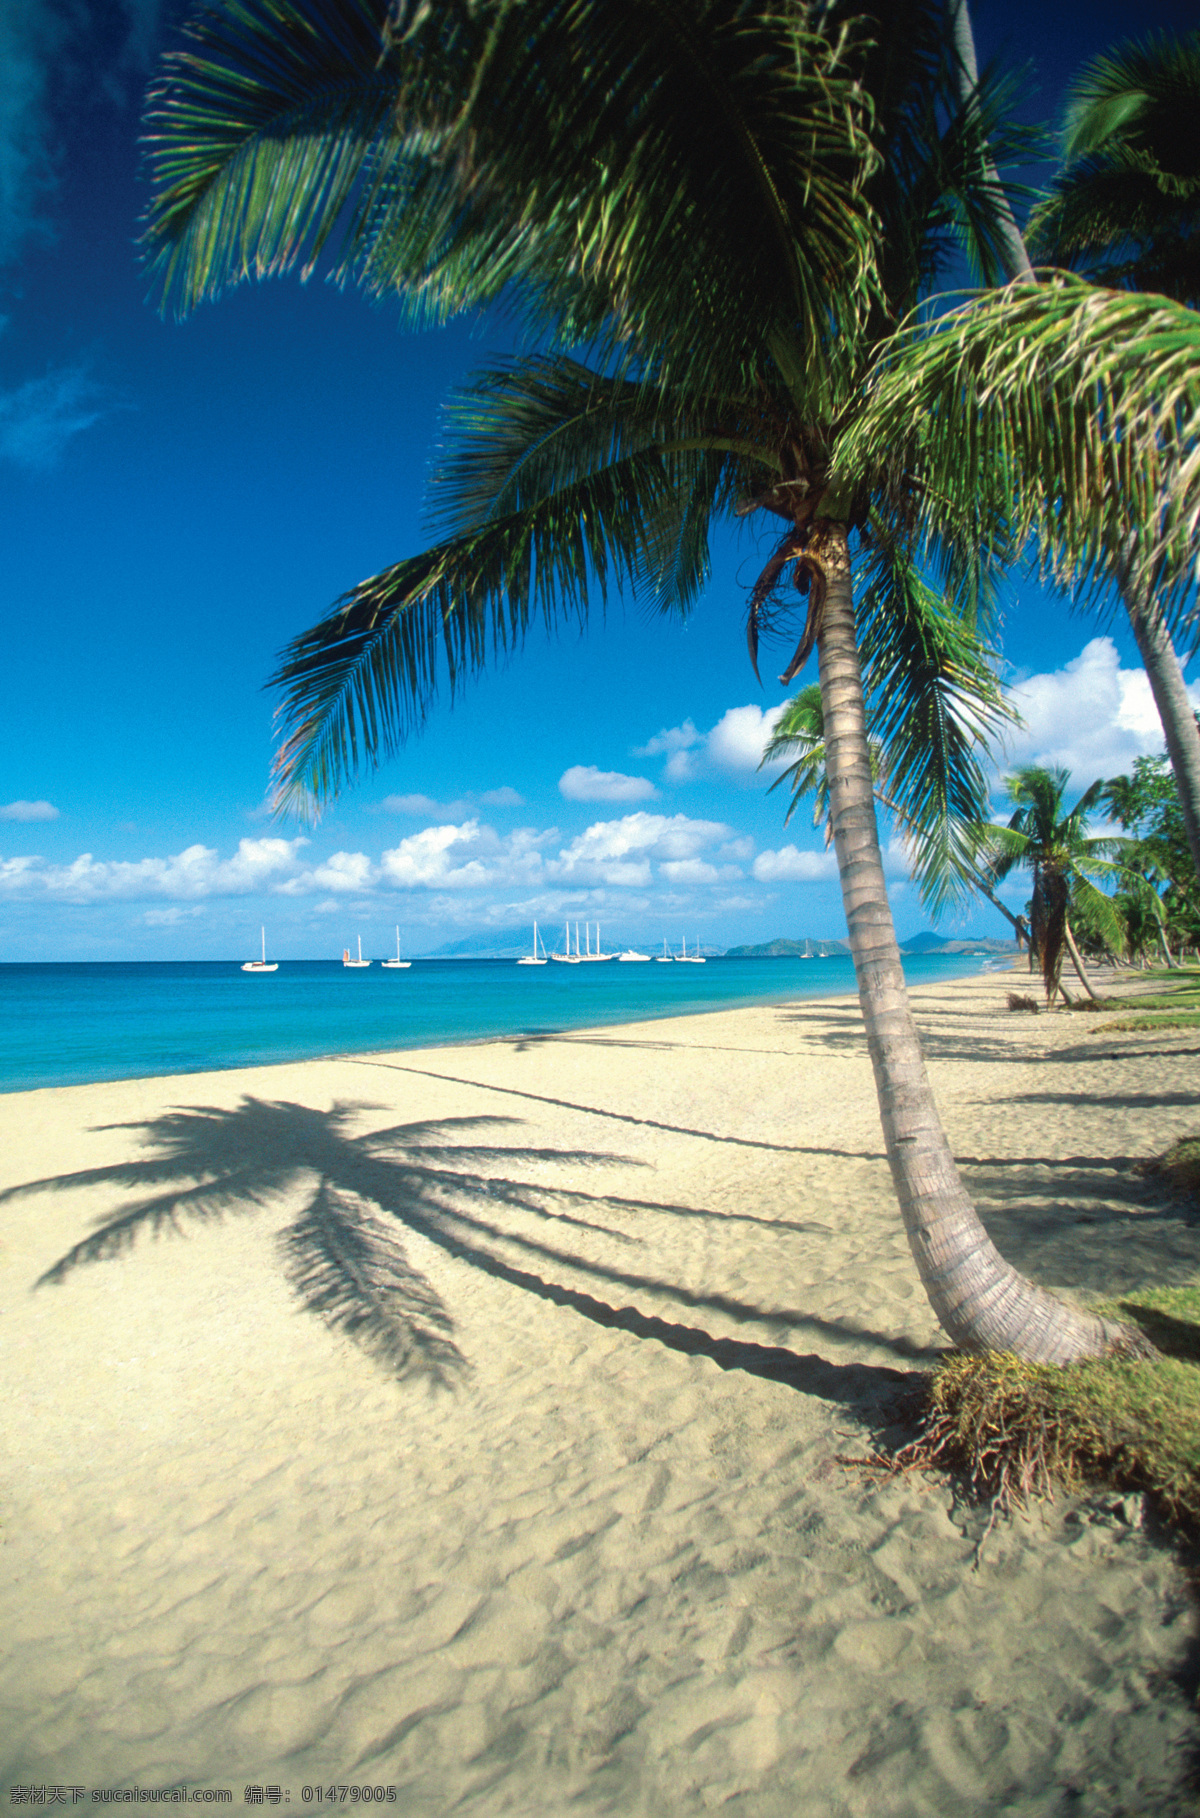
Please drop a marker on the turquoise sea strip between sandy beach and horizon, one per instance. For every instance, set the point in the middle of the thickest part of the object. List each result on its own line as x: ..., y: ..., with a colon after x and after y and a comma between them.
x: 79, y: 1023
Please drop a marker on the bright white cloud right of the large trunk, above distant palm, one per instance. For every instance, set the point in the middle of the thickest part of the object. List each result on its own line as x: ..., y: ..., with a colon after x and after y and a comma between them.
x: 1092, y: 715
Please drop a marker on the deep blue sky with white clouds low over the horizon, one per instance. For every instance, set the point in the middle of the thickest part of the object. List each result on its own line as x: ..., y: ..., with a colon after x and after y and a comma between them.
x: 177, y: 501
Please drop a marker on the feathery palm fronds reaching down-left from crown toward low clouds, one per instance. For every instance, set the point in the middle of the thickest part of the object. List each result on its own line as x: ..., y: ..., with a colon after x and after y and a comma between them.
x: 561, y: 488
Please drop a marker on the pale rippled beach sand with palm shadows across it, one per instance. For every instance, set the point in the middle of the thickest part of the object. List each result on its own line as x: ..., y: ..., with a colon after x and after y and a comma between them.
x: 579, y: 1541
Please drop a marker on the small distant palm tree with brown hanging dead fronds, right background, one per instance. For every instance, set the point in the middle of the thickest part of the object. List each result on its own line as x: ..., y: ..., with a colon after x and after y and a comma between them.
x: 1054, y: 844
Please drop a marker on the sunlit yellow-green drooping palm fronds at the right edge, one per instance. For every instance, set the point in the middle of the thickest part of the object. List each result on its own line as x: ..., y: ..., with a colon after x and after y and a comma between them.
x: 1066, y: 408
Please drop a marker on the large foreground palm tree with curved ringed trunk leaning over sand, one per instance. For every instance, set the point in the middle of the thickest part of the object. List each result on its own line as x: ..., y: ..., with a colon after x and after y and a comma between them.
x: 730, y: 206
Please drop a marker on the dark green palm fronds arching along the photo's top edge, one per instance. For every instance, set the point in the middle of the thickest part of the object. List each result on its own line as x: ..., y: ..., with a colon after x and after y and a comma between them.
x: 679, y: 170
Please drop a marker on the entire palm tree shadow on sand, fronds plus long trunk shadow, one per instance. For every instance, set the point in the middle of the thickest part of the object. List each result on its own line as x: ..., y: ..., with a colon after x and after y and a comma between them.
x: 452, y: 1183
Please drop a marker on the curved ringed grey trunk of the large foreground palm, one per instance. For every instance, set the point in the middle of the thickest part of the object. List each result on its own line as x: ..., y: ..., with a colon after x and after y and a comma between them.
x: 977, y: 1295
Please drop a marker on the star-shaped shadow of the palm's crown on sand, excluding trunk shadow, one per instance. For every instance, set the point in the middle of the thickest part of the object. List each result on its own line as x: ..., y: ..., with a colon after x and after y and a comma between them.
x: 343, y: 1254
